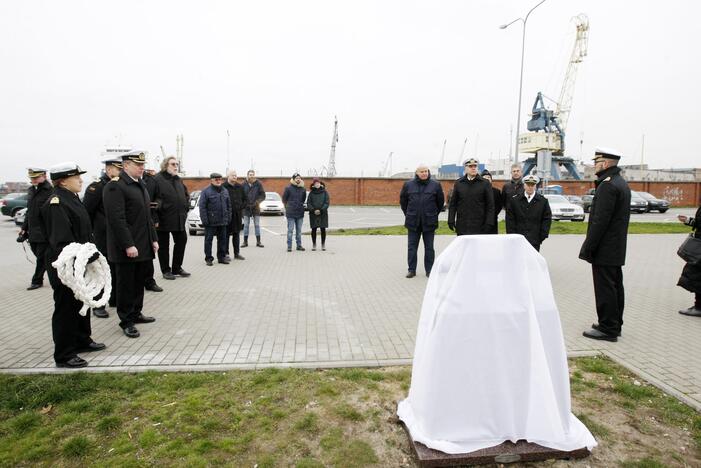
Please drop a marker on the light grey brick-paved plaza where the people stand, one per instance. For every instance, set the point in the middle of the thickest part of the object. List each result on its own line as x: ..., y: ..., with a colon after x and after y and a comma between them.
x: 348, y: 306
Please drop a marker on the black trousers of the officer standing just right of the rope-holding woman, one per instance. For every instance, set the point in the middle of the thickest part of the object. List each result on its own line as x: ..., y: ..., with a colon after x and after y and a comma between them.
x: 130, y: 290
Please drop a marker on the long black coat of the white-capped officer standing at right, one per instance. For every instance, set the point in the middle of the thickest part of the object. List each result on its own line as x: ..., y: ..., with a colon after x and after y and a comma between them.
x: 607, y: 233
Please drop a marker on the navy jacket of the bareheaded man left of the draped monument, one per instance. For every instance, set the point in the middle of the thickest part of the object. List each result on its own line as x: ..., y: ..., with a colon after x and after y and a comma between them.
x: 421, y: 201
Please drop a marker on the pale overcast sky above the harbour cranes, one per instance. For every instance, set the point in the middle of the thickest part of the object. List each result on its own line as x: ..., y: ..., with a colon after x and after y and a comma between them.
x: 401, y: 76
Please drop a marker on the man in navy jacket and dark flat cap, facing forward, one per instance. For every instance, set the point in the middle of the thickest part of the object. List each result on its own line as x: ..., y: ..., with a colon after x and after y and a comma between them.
x: 215, y: 214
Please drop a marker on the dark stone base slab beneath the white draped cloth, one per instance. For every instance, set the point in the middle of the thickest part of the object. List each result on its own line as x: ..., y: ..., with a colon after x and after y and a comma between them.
x: 507, y: 452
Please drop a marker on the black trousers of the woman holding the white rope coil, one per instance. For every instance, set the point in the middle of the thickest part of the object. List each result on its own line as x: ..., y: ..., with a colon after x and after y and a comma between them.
x: 71, y: 331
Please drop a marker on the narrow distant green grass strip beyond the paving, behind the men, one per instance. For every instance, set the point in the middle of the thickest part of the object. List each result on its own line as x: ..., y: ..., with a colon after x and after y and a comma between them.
x: 557, y: 227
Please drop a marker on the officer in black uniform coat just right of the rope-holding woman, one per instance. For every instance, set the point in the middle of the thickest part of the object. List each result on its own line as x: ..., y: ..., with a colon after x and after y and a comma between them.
x: 131, y: 239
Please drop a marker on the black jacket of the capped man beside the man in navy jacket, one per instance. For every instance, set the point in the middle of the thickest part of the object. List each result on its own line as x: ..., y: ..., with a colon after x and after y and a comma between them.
x: 472, y: 203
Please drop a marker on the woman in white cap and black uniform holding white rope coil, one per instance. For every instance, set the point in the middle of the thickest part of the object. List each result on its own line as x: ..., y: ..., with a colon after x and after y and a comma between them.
x: 65, y: 220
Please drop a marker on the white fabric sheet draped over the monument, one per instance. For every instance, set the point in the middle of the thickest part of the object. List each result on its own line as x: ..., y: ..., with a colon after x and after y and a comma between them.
x: 490, y: 362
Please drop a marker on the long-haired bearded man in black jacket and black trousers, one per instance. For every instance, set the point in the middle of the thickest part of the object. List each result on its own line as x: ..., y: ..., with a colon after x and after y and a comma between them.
x: 172, y: 204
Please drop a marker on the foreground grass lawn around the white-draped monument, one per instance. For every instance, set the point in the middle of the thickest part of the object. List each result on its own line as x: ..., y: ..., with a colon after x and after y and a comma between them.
x: 294, y: 417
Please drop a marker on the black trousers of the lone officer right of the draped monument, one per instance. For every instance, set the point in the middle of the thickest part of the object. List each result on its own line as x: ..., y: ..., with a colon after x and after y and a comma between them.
x: 610, y: 297
